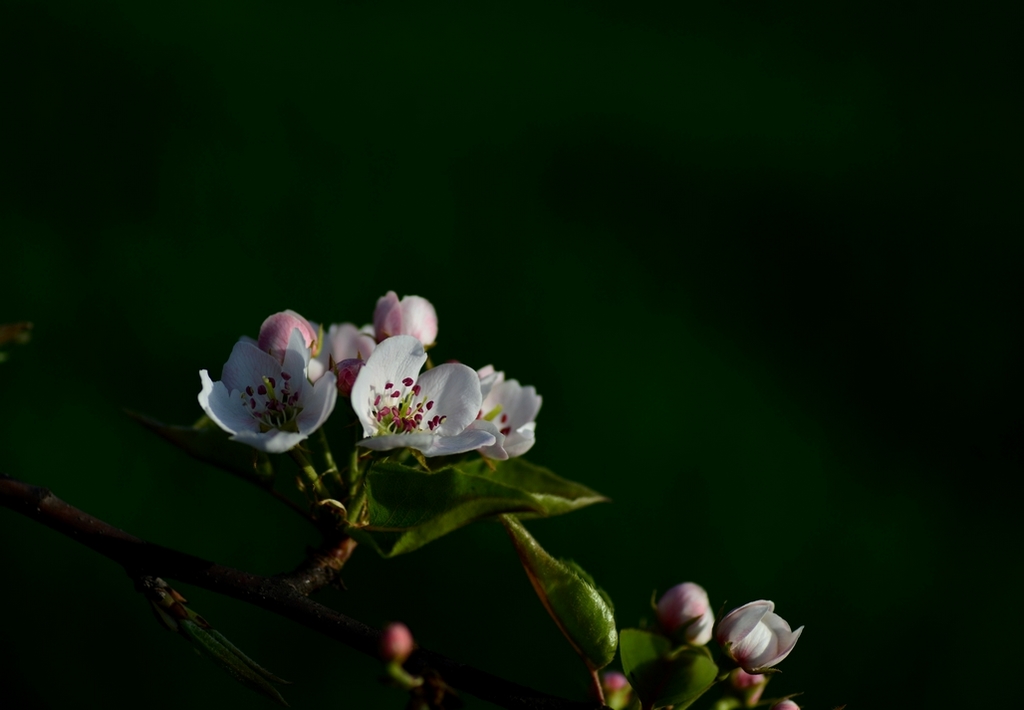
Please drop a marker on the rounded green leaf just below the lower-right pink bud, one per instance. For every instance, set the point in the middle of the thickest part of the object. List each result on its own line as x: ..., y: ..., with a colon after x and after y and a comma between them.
x: 662, y: 677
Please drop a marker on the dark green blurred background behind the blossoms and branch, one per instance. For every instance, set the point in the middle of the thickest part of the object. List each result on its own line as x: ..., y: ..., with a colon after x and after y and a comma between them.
x: 761, y: 261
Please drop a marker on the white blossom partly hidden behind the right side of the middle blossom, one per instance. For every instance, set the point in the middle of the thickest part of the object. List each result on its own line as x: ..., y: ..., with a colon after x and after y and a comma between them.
x: 510, y: 409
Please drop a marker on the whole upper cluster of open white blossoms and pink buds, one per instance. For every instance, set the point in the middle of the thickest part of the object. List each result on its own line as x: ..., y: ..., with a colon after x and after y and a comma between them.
x: 278, y: 390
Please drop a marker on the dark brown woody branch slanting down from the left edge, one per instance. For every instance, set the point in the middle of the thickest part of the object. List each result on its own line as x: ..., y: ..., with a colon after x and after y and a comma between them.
x: 283, y: 595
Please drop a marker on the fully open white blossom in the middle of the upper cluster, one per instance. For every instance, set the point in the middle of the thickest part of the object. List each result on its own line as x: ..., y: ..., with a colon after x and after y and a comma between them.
x: 432, y: 413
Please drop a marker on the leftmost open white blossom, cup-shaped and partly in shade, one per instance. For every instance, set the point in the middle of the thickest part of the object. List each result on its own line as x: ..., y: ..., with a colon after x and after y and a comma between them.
x: 267, y: 403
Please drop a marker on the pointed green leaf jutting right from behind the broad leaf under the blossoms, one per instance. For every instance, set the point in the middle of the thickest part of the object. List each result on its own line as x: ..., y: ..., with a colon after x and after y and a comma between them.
x: 554, y: 494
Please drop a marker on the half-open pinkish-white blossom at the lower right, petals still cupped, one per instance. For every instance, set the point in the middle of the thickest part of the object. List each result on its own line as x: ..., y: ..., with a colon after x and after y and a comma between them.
x: 756, y: 638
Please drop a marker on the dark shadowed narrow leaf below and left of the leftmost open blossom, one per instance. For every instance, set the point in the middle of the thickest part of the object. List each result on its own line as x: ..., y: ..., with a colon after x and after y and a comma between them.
x: 210, y: 444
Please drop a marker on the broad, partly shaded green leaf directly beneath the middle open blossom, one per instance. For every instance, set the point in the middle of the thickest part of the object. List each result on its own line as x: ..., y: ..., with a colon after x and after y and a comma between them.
x: 407, y: 508
